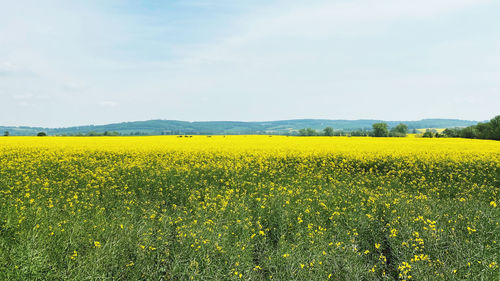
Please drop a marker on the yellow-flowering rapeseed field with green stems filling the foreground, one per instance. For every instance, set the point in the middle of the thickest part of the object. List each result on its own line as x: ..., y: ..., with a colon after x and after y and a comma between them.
x: 249, y: 208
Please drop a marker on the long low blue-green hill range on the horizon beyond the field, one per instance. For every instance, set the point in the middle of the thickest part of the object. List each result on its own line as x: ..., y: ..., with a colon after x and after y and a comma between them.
x: 284, y: 127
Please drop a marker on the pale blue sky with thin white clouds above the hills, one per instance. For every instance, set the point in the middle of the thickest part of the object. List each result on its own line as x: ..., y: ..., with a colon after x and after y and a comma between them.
x: 66, y: 63
